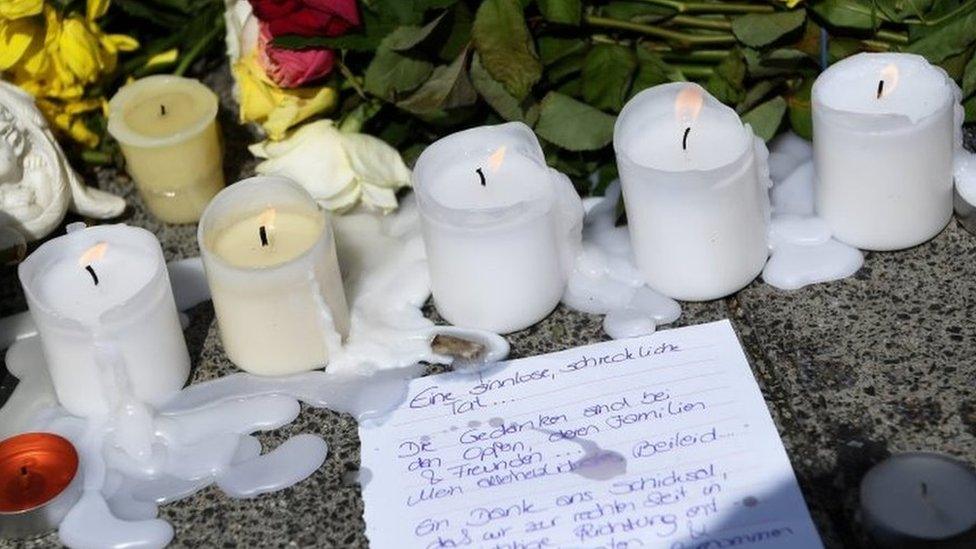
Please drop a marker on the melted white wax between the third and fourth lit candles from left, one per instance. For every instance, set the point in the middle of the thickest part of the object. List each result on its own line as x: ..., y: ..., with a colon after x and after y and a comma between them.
x: 606, y: 281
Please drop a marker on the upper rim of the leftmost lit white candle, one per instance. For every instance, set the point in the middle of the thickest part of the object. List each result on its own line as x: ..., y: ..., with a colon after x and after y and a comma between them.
x: 78, y: 241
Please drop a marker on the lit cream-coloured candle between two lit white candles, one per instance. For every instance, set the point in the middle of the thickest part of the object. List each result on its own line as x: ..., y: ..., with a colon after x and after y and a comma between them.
x: 270, y: 258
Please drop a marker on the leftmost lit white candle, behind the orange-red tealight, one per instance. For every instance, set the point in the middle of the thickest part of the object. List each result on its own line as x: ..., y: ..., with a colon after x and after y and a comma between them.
x: 101, y: 299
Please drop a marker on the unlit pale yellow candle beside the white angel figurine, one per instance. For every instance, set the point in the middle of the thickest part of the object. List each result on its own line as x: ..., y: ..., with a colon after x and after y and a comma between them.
x: 167, y: 128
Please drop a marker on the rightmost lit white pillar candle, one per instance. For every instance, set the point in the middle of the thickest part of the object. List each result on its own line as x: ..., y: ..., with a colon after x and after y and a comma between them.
x: 884, y: 129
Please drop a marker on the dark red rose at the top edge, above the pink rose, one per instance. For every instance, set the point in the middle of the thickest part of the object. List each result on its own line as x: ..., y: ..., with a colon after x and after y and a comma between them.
x: 307, y: 17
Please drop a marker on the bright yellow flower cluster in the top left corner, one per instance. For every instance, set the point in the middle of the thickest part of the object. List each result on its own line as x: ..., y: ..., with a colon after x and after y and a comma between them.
x: 57, y: 58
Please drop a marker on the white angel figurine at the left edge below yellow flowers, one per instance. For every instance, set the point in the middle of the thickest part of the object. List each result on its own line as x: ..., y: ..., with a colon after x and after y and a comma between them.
x: 37, y: 185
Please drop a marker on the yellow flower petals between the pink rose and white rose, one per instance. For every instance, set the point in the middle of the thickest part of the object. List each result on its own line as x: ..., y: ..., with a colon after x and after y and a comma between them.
x: 276, y: 109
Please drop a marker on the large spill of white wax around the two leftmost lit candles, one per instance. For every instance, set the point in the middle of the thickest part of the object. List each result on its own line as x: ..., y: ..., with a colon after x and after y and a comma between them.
x: 138, y: 458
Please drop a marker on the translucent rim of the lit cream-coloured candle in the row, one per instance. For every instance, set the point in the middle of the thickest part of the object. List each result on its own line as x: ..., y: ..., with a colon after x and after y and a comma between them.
x: 208, y: 225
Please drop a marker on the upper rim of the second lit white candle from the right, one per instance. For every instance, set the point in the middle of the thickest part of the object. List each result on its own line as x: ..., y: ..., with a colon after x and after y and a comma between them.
x: 622, y: 140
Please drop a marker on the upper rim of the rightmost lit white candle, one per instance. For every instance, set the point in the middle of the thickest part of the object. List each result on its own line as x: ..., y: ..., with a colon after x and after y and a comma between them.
x: 828, y: 77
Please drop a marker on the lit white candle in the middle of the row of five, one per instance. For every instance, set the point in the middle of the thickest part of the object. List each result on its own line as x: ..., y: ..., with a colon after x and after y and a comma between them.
x: 499, y: 226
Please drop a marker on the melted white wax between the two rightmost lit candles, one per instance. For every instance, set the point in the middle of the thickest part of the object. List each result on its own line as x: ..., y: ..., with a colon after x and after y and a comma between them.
x: 802, y: 249
